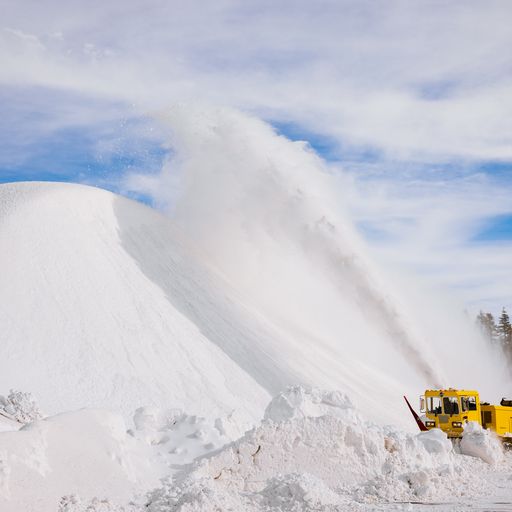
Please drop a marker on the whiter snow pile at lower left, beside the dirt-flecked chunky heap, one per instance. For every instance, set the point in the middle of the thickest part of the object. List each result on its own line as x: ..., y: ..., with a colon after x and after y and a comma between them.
x: 87, y: 456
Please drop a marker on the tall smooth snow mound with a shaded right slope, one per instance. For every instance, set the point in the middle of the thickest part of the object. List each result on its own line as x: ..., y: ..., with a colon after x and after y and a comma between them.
x: 87, y: 326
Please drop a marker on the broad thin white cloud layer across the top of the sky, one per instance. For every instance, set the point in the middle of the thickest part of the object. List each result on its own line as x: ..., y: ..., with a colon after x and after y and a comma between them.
x: 427, y: 77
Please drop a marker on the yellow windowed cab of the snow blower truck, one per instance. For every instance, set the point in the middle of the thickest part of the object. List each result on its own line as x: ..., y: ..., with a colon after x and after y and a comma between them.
x: 449, y: 409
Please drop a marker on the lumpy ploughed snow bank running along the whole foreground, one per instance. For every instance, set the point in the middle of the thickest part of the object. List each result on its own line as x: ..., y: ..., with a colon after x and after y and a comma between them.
x: 313, y: 451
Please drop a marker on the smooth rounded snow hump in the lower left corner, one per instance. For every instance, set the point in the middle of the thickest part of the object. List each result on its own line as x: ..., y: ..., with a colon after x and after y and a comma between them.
x: 87, y: 453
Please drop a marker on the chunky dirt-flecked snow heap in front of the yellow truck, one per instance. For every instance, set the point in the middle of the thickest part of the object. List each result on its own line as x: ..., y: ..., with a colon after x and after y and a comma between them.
x: 296, y: 461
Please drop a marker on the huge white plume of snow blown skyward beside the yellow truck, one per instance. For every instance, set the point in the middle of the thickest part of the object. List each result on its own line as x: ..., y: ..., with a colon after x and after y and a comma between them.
x: 269, y: 215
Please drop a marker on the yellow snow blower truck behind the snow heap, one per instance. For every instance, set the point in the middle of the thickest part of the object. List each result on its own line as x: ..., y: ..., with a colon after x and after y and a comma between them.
x: 449, y: 409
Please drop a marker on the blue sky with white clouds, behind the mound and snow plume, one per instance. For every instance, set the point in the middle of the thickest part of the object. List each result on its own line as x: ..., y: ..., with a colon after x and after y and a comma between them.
x: 413, y: 109
